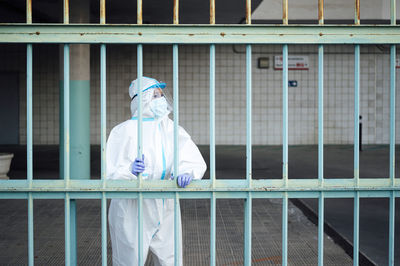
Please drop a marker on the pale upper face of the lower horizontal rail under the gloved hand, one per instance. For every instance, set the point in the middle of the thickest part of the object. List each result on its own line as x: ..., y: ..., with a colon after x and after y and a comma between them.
x: 219, y: 185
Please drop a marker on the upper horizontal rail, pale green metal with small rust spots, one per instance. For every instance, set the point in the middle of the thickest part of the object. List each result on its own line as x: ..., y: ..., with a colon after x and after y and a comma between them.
x: 200, y: 34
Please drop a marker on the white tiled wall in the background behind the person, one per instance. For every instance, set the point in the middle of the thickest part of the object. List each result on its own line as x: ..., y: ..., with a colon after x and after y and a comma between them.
x: 230, y: 92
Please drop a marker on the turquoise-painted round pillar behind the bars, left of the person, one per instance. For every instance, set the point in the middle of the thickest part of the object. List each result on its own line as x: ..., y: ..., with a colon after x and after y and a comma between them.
x: 79, y: 111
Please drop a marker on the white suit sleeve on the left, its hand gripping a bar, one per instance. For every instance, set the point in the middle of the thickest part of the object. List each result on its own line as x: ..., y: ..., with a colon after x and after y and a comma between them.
x: 119, y: 155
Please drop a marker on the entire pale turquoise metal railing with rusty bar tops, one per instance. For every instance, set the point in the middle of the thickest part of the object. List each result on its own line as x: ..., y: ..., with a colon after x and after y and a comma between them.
x: 213, y: 188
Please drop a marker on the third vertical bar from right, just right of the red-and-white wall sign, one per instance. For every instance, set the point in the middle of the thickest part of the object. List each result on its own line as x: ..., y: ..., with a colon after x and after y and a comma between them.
x: 321, y: 152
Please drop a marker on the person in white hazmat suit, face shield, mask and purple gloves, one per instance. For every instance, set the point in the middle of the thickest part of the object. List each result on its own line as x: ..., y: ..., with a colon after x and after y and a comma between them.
x: 156, y: 164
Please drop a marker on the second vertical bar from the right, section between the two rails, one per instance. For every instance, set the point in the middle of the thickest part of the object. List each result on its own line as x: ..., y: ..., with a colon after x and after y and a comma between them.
x: 356, y: 113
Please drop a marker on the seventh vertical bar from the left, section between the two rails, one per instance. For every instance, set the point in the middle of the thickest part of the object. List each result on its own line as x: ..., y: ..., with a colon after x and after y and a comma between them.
x: 248, y: 116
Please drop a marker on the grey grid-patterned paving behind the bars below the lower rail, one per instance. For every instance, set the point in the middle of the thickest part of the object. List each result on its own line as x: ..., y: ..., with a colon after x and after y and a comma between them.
x: 266, y: 235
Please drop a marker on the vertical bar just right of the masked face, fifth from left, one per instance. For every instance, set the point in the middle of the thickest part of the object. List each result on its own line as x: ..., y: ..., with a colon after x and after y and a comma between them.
x: 175, y: 63
